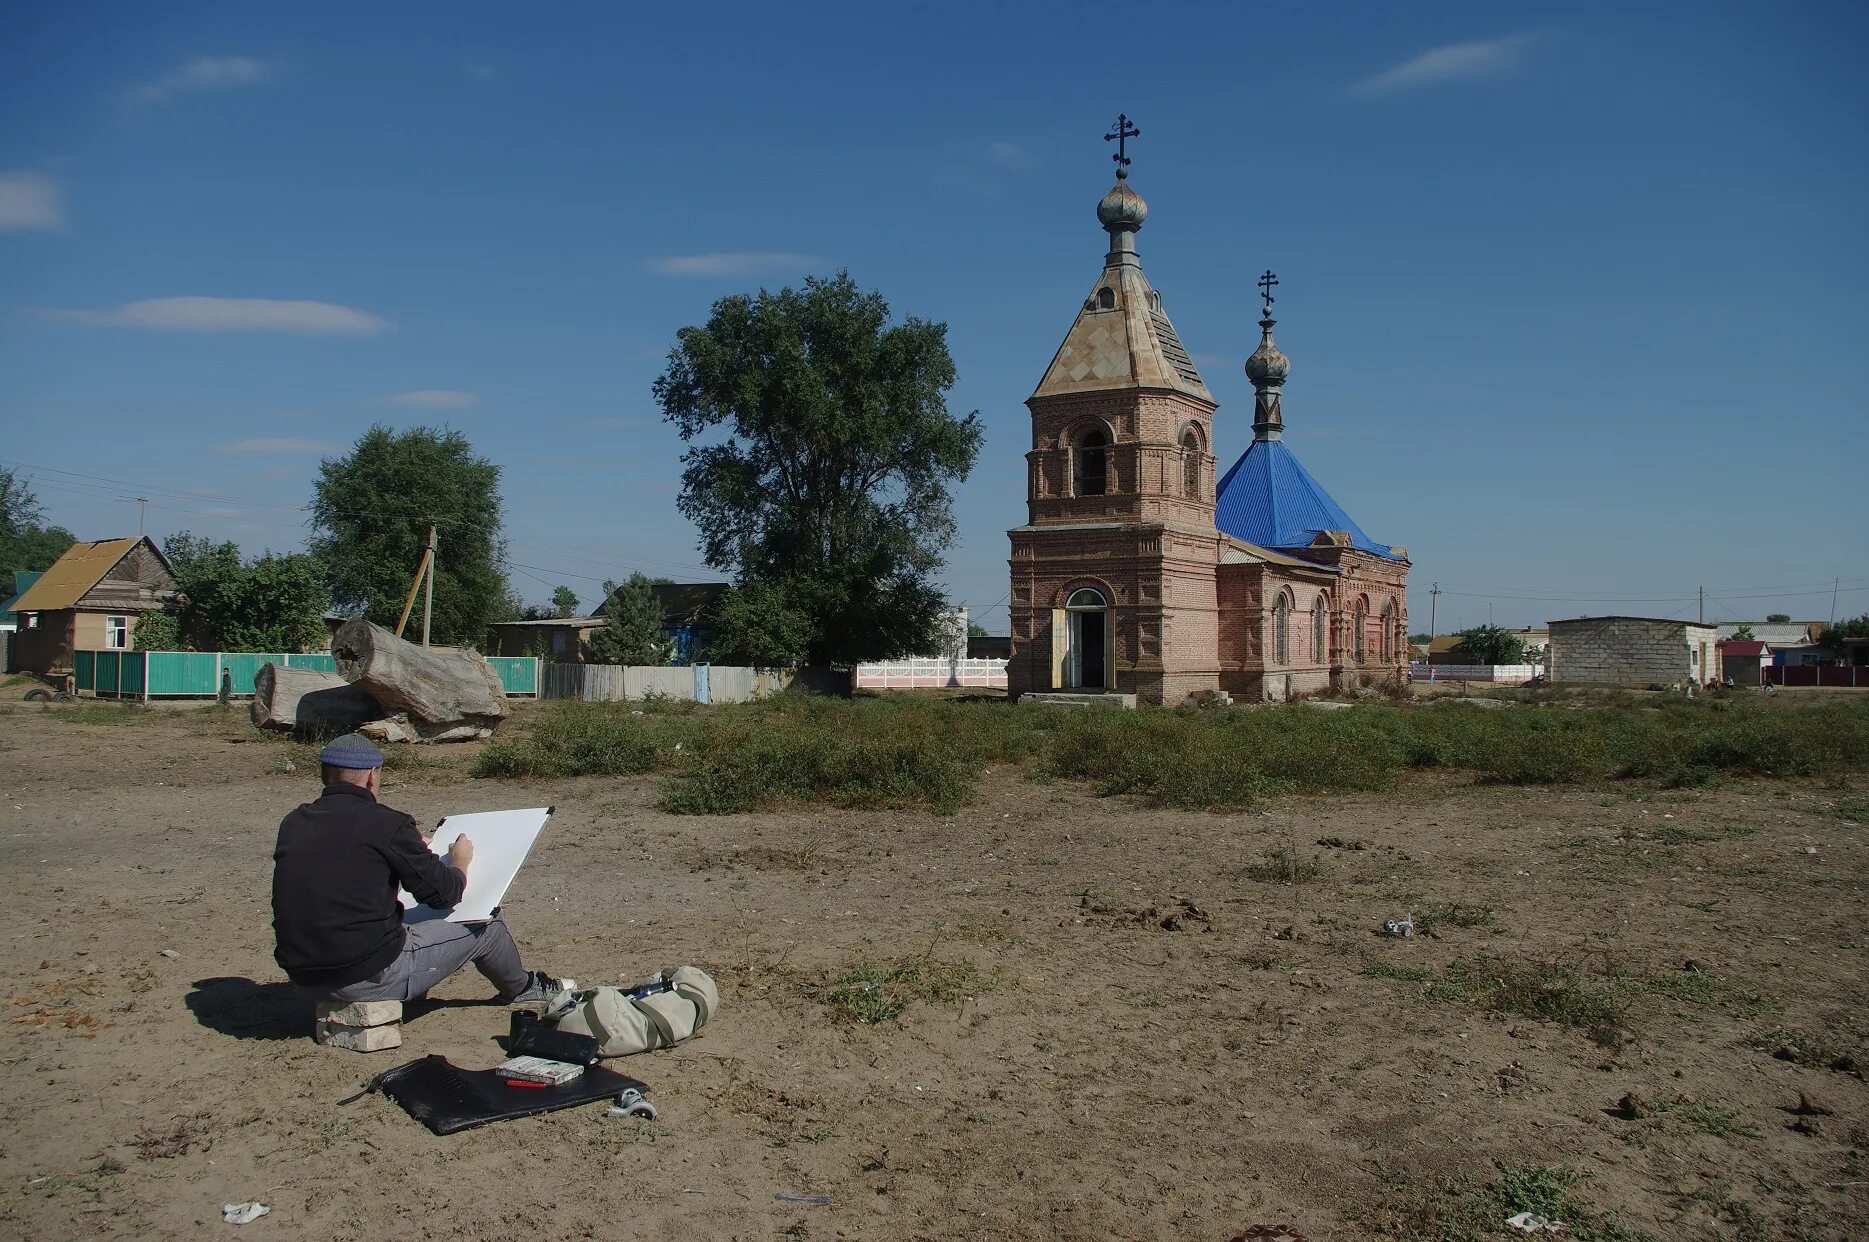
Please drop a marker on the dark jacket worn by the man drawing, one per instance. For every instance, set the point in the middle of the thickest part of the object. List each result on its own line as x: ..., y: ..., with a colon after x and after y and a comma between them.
x: 335, y: 875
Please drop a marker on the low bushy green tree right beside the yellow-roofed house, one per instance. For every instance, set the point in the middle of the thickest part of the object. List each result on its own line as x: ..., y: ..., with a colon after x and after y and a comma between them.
x: 270, y: 604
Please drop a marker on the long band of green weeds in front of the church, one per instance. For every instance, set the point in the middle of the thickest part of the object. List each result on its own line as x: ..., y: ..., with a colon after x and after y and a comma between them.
x: 902, y: 752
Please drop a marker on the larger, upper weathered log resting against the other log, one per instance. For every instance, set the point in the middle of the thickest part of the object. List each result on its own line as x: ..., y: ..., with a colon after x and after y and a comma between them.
x: 429, y: 686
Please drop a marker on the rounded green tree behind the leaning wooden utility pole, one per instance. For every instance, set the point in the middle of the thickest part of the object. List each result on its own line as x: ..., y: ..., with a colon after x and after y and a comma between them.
x: 373, y: 511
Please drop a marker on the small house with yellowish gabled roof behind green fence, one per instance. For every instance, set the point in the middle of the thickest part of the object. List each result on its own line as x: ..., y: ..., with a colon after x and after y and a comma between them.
x: 89, y: 600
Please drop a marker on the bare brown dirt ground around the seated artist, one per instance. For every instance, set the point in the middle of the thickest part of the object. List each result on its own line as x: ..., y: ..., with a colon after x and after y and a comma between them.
x: 1167, y: 1043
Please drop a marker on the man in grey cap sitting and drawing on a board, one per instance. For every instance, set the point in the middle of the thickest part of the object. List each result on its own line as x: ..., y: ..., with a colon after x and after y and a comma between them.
x: 337, y: 920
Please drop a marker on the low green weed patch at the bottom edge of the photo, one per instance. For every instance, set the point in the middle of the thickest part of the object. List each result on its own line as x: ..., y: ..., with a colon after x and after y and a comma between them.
x: 1462, y: 1211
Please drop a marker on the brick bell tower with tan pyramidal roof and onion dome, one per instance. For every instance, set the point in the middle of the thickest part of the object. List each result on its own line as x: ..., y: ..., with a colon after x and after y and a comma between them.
x: 1115, y: 569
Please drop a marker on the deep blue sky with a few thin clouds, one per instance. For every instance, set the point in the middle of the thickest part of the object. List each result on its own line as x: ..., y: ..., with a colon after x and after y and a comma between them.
x: 1573, y: 294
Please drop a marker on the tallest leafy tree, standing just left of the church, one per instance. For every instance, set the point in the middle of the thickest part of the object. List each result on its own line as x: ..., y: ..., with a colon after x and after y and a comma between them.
x: 821, y: 455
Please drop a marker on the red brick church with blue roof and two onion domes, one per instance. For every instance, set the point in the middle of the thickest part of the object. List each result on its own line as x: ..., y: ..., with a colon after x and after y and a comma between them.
x: 1141, y: 571
